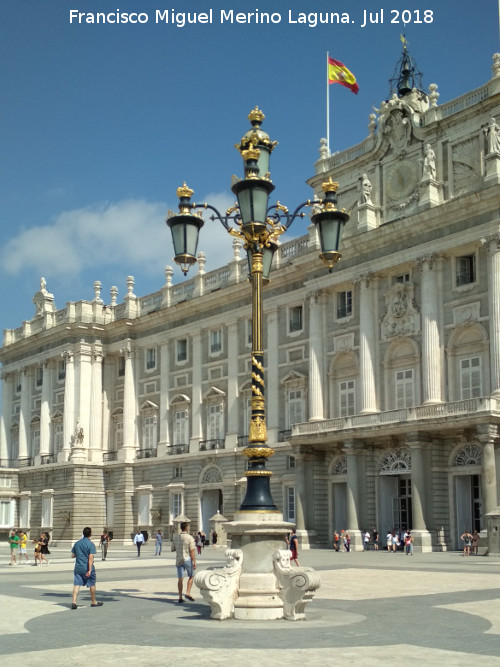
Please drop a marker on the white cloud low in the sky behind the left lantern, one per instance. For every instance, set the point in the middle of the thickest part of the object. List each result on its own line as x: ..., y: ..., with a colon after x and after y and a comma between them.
x: 128, y: 233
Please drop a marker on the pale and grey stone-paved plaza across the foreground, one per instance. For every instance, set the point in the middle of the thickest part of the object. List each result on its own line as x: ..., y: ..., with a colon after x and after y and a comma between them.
x: 372, y: 608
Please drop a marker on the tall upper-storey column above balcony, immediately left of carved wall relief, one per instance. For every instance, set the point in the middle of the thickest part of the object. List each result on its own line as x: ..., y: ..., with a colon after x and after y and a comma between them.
x: 368, y: 339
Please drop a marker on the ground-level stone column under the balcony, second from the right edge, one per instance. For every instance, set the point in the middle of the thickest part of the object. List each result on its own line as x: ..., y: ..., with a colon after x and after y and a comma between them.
x: 418, y: 442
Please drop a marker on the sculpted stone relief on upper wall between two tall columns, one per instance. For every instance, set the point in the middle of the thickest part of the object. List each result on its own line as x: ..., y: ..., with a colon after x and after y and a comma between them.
x: 401, y: 317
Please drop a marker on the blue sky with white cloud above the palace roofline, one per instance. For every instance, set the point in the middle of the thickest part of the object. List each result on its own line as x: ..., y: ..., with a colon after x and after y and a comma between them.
x: 101, y: 123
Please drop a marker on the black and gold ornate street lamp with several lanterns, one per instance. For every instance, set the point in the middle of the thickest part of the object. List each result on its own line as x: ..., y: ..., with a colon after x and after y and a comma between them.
x: 259, y: 226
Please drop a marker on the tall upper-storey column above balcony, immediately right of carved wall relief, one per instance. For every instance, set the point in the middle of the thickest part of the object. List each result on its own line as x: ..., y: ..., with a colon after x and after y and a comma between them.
x: 432, y: 362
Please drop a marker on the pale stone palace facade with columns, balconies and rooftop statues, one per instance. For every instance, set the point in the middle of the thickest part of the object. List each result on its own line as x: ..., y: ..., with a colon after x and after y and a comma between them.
x: 382, y: 377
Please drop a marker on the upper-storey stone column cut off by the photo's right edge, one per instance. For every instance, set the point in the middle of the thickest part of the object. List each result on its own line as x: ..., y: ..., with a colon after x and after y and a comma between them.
x: 492, y: 242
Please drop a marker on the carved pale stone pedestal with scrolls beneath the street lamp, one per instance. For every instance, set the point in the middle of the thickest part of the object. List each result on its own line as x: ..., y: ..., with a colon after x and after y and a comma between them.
x: 258, y: 582
